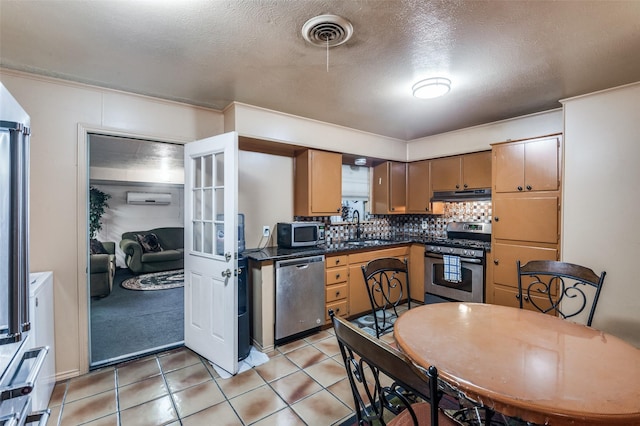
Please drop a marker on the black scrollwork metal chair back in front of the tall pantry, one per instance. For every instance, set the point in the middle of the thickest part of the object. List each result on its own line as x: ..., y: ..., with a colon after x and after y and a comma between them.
x: 547, y: 289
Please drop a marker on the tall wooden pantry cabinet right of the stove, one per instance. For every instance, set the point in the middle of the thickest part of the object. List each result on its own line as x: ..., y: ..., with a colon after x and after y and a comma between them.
x: 526, y: 211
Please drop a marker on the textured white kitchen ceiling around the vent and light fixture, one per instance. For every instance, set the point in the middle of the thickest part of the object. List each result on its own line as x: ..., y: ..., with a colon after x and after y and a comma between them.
x: 505, y: 58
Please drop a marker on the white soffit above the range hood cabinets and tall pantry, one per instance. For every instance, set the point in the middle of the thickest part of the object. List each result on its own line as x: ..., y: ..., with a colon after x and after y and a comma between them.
x: 480, y: 138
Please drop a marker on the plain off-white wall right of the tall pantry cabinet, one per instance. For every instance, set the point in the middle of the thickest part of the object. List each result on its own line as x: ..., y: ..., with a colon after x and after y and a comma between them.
x: 602, y: 201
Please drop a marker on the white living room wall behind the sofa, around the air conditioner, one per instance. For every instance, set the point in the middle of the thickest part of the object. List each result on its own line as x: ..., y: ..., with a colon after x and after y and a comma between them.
x: 121, y: 217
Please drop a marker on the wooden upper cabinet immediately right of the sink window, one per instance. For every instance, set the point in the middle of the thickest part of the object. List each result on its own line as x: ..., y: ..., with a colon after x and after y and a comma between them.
x: 389, y: 188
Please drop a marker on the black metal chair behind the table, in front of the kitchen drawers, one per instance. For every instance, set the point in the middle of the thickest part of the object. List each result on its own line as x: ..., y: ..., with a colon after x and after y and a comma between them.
x: 387, y: 281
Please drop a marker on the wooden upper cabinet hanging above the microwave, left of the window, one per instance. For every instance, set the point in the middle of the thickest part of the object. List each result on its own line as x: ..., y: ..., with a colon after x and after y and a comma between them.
x: 318, y: 183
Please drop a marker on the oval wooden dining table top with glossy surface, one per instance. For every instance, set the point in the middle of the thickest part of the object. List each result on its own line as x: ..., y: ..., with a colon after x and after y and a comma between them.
x: 525, y: 364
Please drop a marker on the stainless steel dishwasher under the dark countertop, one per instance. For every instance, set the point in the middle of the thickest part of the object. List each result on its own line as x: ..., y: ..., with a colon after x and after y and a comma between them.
x: 300, y: 295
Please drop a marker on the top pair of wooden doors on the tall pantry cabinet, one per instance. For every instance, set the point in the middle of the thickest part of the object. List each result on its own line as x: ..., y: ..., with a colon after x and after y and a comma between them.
x: 527, y: 166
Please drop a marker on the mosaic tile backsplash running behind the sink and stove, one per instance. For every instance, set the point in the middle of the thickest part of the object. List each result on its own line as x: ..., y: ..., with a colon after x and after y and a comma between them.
x: 407, y: 226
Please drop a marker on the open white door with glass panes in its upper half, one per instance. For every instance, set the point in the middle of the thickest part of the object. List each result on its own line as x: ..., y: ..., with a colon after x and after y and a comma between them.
x: 210, y: 250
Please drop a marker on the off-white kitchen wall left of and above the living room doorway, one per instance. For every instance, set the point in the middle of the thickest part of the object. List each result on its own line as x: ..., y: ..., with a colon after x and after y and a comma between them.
x: 57, y: 224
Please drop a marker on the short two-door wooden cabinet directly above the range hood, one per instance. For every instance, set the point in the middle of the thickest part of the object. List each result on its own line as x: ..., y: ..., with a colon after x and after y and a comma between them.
x: 468, y: 171
